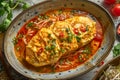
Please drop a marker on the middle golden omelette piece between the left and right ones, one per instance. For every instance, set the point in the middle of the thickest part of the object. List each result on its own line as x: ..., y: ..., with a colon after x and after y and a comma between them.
x: 64, y: 33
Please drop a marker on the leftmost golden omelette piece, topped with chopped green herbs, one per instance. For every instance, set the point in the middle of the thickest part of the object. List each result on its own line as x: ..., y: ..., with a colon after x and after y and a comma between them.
x: 43, y: 49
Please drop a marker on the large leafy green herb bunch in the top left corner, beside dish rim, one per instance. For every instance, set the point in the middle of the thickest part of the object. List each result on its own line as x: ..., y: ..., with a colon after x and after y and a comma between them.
x: 6, y: 9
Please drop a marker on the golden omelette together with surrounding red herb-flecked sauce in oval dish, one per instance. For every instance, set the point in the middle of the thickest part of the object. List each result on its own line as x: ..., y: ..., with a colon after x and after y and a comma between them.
x: 58, y: 40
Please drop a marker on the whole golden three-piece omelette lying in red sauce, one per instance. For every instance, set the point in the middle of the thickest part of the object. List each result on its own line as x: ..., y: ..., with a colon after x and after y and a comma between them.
x: 59, y: 39
